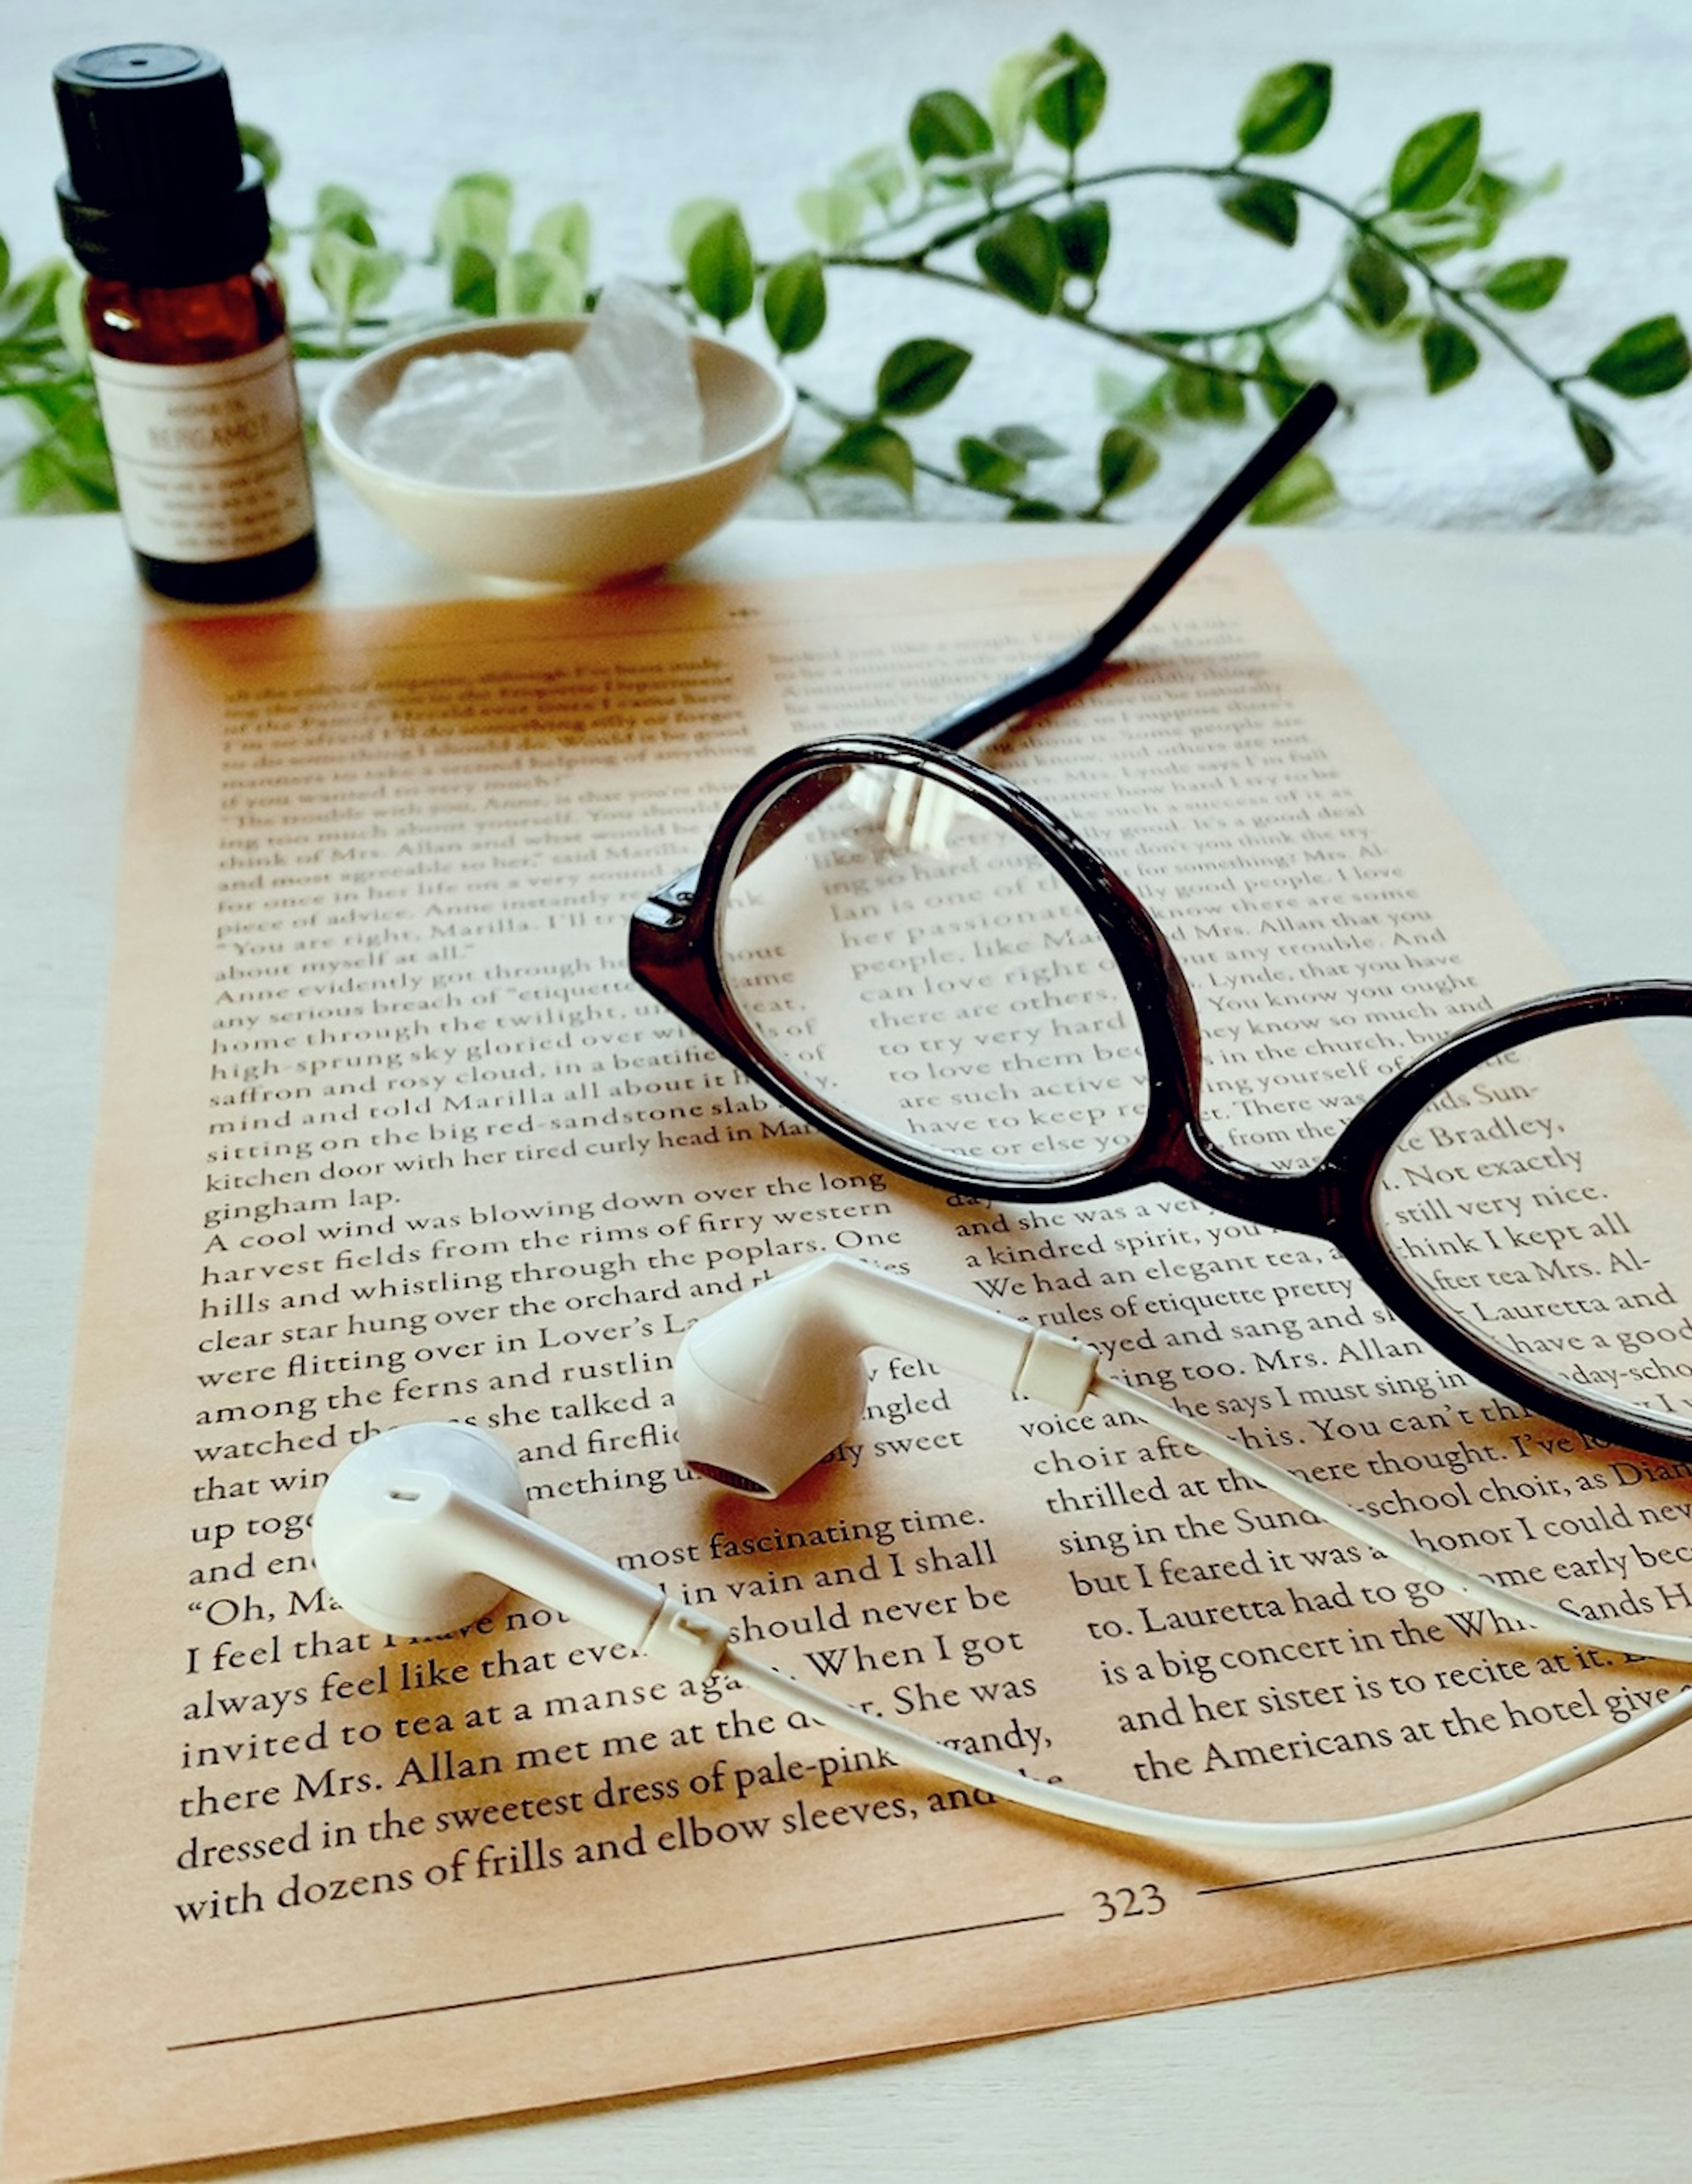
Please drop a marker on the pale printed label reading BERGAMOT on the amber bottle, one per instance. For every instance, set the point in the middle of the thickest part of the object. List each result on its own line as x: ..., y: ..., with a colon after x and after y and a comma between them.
x: 208, y: 458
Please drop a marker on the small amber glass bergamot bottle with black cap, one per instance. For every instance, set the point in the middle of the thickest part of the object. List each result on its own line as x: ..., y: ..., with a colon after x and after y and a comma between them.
x: 187, y: 324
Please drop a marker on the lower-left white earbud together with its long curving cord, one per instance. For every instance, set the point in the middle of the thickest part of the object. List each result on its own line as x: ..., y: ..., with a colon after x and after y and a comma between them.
x: 422, y: 1530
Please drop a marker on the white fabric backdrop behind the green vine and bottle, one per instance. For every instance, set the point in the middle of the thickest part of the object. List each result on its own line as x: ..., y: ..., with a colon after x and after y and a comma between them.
x: 641, y: 106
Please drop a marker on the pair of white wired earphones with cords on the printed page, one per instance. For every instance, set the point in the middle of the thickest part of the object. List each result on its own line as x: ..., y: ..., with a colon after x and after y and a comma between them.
x: 422, y: 1530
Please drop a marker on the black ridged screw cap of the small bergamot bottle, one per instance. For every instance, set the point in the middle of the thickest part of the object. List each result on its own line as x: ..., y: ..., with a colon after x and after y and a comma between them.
x: 158, y: 189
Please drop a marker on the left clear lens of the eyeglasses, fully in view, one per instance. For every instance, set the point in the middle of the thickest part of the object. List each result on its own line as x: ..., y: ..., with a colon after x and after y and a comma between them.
x: 931, y: 977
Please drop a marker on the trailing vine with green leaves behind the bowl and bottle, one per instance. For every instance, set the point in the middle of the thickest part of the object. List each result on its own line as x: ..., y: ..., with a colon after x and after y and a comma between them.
x: 992, y: 200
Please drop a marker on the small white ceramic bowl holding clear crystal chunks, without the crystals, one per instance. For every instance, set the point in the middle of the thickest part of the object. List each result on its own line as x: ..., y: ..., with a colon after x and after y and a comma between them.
x: 588, y: 536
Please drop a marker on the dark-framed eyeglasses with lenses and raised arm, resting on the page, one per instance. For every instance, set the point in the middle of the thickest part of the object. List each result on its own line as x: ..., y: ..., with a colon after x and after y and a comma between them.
x: 929, y: 966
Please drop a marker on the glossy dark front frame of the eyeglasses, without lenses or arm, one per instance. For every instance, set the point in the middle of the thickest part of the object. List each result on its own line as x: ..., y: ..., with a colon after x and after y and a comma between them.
x: 674, y: 955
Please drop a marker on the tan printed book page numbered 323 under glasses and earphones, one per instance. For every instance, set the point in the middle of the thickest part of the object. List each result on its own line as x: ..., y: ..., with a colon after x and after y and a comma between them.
x: 390, y: 1135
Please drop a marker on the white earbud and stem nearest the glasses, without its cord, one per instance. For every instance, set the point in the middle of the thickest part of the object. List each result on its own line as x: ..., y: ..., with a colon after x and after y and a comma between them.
x: 770, y: 1384
